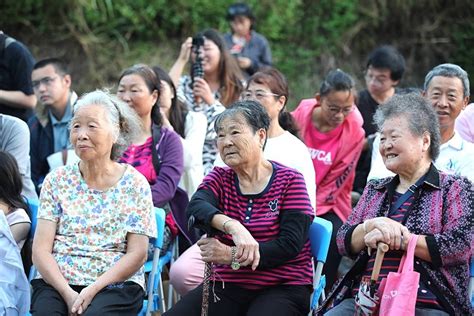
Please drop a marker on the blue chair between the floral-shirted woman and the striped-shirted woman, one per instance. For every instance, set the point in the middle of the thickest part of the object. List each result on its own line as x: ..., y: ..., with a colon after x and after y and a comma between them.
x: 155, y: 295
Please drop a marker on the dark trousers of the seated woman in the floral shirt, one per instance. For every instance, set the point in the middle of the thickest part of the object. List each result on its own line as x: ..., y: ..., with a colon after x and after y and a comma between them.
x: 123, y: 299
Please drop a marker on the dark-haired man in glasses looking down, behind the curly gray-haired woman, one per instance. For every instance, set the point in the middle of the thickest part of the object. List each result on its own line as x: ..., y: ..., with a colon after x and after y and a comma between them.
x: 384, y: 70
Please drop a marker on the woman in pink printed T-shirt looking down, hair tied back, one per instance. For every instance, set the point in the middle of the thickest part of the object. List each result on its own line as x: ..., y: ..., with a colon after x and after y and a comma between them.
x: 331, y: 127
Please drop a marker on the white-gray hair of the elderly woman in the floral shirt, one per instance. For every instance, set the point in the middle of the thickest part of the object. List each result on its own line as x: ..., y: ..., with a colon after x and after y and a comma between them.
x: 125, y: 123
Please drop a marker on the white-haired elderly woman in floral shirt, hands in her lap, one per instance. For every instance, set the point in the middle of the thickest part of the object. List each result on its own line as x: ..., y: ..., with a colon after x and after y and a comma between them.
x: 94, y: 219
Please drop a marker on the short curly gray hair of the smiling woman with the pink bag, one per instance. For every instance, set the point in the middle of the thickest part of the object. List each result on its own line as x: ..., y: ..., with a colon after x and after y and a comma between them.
x: 419, y: 113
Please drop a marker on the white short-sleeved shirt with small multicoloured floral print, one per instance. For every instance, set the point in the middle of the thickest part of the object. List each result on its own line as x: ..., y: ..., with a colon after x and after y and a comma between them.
x: 92, y: 225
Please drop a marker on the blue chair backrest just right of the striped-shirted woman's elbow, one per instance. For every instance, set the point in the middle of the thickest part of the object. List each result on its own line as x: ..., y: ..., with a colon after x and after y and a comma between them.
x: 320, y: 237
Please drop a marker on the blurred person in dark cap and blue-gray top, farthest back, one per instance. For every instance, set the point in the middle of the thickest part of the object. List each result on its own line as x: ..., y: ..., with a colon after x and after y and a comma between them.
x: 250, y: 48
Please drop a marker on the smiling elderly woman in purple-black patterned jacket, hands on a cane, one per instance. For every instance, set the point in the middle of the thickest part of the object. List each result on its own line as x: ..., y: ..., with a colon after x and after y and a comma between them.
x: 417, y: 200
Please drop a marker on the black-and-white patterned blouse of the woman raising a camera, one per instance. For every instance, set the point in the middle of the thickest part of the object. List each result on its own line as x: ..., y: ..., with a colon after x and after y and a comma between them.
x: 186, y: 95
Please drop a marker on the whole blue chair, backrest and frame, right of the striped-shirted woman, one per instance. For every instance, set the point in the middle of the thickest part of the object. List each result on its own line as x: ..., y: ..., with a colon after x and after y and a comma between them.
x: 320, y: 237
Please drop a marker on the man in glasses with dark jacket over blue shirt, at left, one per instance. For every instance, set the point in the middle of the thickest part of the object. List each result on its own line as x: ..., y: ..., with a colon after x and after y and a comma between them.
x: 50, y: 126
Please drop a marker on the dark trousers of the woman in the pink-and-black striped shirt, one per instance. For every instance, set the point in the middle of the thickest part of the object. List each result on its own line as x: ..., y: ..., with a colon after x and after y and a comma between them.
x: 235, y: 301
